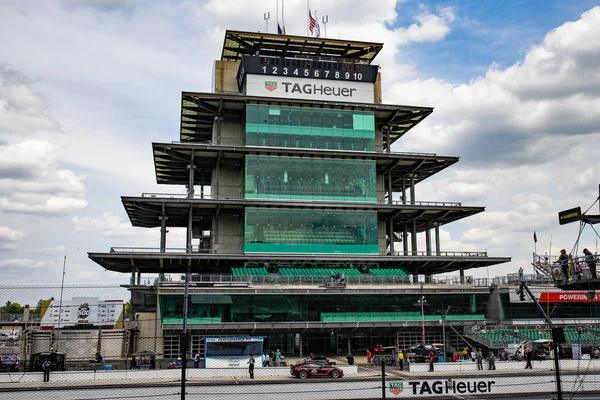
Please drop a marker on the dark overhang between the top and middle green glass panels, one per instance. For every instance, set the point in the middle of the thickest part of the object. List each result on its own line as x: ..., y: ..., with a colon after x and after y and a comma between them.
x: 171, y: 161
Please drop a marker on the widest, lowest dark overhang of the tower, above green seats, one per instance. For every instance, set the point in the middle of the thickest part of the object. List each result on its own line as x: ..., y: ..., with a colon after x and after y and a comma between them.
x: 219, y: 263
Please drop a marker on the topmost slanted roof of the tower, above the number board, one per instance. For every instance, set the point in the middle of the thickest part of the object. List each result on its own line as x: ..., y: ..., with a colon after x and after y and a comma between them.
x: 238, y: 44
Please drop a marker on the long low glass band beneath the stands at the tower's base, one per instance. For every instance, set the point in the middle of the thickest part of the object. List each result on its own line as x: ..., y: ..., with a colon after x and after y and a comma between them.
x: 327, y: 308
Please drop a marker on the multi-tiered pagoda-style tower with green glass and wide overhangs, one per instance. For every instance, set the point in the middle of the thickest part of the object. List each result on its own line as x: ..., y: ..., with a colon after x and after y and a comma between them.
x: 291, y: 178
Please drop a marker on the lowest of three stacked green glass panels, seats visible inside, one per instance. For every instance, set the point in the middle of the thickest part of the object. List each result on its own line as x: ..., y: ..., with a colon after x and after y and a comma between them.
x: 284, y: 230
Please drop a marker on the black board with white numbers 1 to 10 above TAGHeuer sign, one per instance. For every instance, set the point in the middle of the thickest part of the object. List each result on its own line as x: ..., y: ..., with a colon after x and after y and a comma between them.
x: 297, y: 68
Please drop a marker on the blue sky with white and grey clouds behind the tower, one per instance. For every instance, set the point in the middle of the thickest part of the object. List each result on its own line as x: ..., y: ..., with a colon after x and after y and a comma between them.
x: 87, y: 85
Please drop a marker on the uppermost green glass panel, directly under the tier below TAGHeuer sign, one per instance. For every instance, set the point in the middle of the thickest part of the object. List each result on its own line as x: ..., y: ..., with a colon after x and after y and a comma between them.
x: 309, y: 128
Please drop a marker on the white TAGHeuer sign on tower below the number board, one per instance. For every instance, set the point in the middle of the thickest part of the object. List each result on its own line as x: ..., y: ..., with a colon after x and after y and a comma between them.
x: 313, y: 89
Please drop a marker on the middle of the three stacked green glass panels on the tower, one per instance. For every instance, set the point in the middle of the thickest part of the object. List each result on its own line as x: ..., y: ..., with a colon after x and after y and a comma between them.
x: 299, y: 178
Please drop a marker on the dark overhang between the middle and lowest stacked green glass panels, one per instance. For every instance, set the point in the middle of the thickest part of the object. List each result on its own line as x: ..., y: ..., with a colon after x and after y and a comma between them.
x: 146, y: 211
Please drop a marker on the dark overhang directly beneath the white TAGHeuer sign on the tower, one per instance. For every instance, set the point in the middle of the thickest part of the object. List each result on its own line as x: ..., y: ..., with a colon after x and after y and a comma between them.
x: 199, y: 111
